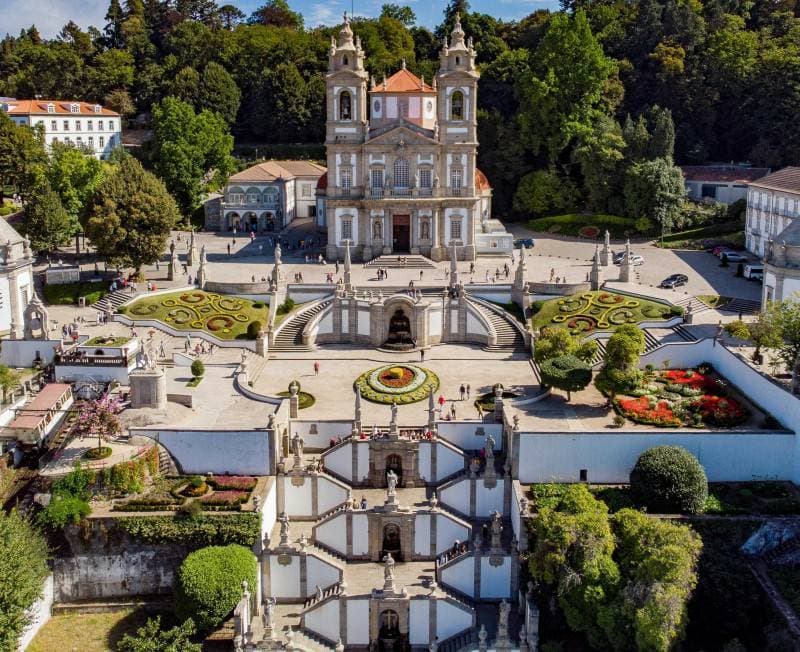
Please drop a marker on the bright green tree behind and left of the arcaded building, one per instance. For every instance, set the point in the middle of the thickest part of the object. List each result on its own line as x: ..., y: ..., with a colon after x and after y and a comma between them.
x: 188, y: 149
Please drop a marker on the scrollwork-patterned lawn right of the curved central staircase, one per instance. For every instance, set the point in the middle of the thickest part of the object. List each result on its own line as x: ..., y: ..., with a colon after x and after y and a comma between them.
x: 583, y: 313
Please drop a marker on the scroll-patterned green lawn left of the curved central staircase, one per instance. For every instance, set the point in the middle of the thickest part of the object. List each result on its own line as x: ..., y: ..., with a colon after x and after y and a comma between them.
x: 225, y: 317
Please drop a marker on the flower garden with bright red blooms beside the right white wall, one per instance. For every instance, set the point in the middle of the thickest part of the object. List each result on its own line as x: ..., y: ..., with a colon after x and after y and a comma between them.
x: 693, y: 398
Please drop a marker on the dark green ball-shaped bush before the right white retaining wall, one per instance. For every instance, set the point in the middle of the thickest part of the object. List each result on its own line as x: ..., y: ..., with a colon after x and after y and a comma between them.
x: 669, y: 479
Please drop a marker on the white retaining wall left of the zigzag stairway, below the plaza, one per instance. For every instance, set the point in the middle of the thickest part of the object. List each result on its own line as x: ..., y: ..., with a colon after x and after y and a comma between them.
x: 238, y: 452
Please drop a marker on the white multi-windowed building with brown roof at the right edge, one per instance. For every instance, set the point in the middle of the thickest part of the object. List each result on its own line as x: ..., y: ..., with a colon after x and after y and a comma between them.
x: 773, y: 202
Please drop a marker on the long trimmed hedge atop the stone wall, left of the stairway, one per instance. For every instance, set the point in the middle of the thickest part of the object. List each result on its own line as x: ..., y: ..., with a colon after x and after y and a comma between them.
x: 243, y: 529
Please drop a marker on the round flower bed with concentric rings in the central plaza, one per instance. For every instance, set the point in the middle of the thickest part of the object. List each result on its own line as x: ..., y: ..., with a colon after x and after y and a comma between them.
x: 400, y: 383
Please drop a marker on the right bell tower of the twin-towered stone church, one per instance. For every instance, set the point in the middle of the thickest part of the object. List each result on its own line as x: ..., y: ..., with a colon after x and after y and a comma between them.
x: 457, y: 85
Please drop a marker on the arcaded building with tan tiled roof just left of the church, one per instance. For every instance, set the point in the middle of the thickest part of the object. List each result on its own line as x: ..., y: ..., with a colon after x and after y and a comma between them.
x: 266, y: 197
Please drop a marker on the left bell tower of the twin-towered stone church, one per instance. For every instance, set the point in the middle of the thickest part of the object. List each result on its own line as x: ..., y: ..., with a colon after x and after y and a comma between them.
x: 346, y: 88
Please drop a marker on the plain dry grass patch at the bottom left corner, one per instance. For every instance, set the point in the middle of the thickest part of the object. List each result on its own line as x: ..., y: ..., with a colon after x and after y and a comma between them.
x: 87, y: 632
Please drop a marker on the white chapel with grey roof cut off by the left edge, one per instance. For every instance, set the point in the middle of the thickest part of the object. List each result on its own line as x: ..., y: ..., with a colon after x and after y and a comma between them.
x: 16, y: 280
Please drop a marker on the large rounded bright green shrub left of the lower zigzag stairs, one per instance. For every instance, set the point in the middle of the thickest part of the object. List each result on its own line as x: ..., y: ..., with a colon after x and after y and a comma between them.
x: 208, y: 583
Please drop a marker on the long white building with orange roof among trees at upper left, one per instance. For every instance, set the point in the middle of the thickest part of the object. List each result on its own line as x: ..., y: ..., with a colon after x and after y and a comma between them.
x: 69, y: 121
